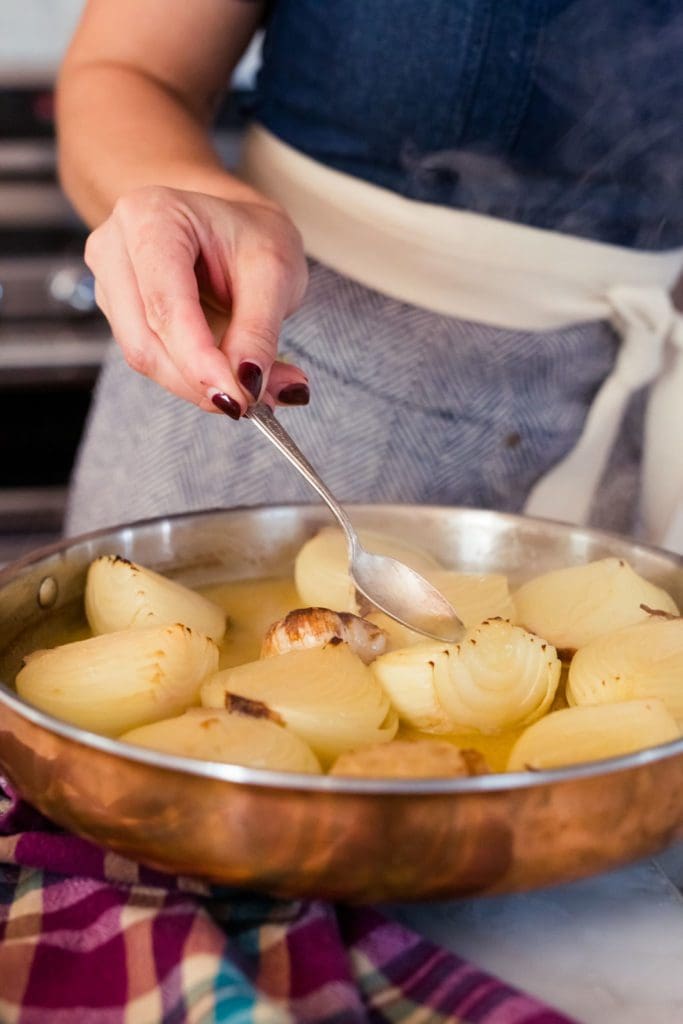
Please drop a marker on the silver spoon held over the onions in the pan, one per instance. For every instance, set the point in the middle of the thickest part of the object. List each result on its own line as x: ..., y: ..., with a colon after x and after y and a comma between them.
x: 389, y: 584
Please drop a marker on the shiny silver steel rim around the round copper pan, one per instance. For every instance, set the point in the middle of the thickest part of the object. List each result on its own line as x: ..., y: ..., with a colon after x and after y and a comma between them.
x: 327, y: 784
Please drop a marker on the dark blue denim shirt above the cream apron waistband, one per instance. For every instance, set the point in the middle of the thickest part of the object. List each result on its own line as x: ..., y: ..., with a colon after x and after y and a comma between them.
x: 559, y: 114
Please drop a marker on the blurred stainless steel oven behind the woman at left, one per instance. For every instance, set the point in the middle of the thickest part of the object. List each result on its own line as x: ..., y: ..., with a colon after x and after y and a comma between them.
x: 53, y: 337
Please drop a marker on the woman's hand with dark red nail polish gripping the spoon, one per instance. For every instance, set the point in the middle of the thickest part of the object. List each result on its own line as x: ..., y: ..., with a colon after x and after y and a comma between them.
x: 196, y: 289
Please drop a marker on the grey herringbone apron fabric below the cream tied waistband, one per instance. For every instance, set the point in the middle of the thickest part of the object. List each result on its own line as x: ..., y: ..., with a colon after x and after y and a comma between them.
x: 407, y: 406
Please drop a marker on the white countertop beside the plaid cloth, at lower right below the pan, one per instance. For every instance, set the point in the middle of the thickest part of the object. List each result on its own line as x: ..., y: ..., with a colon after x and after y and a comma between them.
x: 607, y: 951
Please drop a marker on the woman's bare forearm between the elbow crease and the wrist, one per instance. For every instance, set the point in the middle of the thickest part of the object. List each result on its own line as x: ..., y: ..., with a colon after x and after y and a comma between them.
x: 120, y: 130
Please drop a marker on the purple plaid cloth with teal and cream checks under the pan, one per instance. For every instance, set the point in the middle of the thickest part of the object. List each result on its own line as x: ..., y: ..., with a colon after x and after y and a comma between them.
x: 90, y: 936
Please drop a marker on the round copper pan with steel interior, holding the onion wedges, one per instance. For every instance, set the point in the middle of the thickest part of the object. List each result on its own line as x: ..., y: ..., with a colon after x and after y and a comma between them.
x: 311, y: 836
